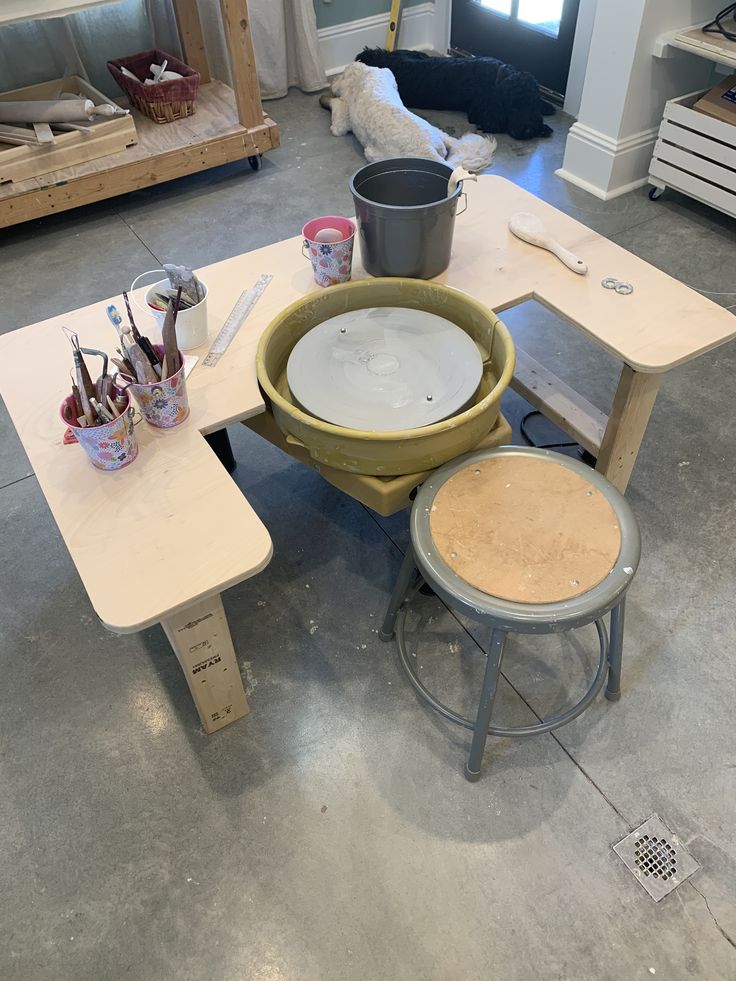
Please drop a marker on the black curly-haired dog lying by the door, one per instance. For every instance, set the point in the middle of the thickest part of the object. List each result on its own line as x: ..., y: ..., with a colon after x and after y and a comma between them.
x: 497, y: 97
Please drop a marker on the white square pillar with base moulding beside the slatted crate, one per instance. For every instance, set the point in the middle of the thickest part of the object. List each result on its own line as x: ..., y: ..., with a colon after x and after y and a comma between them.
x: 625, y: 88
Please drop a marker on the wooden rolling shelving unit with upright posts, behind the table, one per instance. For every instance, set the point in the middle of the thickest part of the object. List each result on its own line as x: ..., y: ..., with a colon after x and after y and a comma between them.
x: 229, y: 124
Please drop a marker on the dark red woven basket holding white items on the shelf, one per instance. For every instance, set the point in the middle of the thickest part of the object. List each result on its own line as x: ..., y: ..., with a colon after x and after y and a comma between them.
x: 164, y: 102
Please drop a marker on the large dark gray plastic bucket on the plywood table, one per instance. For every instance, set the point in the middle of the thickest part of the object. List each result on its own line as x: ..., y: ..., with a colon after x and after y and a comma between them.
x: 405, y: 217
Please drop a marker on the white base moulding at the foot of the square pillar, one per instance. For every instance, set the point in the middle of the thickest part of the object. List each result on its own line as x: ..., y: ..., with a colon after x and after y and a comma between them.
x: 605, y: 166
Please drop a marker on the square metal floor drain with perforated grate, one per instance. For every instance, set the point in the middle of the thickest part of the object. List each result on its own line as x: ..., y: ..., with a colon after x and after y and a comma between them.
x: 656, y: 857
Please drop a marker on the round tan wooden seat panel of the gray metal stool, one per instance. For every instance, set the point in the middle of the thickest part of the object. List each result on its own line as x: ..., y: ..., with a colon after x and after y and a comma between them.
x: 526, y: 529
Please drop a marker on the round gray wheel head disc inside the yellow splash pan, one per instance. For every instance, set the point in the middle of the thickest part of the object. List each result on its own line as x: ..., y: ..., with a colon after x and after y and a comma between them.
x: 384, y: 369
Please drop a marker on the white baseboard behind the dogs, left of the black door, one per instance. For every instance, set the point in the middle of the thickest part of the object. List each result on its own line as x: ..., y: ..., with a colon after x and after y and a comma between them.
x: 341, y: 43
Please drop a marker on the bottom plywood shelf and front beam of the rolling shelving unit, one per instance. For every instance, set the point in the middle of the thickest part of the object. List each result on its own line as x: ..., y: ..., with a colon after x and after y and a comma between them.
x: 211, y: 137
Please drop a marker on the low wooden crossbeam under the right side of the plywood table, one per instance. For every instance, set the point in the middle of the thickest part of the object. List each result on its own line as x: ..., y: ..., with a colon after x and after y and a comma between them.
x: 561, y: 404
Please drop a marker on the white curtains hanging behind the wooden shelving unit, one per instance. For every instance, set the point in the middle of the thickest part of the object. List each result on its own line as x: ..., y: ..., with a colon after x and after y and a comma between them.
x: 284, y: 38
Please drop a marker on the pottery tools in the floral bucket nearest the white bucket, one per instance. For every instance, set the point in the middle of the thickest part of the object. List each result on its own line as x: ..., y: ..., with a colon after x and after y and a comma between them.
x: 139, y: 360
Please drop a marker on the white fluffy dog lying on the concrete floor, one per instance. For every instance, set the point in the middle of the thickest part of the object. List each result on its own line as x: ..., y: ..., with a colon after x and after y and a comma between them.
x: 366, y: 101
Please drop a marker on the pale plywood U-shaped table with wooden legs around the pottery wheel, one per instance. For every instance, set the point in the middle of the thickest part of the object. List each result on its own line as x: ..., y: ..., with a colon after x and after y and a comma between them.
x: 201, y: 535
